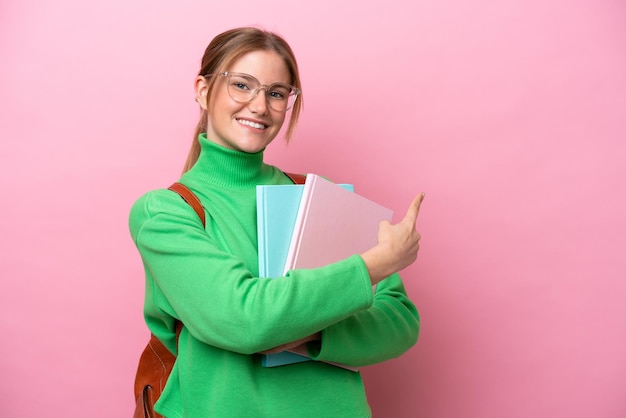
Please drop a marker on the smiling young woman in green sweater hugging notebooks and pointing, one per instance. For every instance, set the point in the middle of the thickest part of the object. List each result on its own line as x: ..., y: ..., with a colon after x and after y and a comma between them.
x: 208, y: 278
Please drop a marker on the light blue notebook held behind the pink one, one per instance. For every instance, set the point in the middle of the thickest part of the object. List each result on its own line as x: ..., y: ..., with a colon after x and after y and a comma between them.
x: 277, y: 209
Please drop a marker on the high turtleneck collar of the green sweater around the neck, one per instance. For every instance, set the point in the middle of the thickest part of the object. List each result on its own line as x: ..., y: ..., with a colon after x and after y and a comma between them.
x: 225, y: 167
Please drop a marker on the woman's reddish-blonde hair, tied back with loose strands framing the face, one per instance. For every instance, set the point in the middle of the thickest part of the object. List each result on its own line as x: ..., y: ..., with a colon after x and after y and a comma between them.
x: 227, y: 48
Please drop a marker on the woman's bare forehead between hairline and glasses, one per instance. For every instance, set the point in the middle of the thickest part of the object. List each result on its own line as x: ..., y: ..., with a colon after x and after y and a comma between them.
x: 266, y: 66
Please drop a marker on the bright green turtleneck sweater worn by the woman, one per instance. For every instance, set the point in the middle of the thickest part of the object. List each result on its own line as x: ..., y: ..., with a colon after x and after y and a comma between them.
x: 208, y: 279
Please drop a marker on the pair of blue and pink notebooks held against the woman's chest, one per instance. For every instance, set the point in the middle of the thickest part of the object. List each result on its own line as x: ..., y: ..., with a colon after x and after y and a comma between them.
x: 309, y: 226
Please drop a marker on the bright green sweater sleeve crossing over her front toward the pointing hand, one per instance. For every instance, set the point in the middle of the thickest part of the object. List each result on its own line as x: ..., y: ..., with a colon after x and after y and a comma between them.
x: 190, y: 278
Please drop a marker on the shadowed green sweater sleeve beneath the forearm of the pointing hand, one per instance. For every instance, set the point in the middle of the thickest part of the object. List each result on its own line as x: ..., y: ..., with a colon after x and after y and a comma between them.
x: 384, y: 331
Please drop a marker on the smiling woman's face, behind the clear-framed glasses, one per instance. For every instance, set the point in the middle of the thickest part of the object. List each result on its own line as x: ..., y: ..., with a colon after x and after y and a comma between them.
x: 247, y: 127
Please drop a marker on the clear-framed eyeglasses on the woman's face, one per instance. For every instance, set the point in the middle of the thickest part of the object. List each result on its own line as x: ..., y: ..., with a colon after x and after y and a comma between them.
x: 243, y: 88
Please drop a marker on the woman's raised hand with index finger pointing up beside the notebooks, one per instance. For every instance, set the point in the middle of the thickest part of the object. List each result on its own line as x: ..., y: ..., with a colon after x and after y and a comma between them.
x: 397, y: 246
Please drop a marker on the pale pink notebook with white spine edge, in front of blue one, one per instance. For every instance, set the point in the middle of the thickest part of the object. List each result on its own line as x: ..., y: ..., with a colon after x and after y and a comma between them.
x: 332, y: 224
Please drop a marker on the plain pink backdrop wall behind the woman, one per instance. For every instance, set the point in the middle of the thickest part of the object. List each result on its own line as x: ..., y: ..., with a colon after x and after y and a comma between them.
x: 510, y: 115
